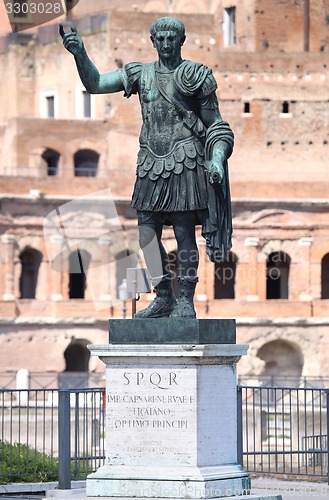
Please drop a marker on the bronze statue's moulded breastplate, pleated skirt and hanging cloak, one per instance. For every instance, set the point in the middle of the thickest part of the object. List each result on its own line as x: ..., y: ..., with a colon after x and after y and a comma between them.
x: 175, y: 145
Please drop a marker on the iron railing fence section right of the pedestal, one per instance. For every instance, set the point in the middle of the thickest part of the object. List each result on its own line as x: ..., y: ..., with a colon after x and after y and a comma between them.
x: 284, y: 430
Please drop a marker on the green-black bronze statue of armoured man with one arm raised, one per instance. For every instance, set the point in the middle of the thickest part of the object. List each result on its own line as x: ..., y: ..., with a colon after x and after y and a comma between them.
x: 182, y: 177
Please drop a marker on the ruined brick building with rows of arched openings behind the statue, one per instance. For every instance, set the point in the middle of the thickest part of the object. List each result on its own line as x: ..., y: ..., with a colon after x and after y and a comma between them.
x: 67, y: 169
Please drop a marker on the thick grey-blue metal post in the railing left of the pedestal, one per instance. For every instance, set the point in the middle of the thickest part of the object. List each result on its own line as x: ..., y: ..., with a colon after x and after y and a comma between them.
x: 64, y: 440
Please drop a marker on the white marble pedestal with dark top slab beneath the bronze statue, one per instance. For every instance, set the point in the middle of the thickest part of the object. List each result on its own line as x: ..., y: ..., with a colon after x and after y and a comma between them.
x: 171, y: 413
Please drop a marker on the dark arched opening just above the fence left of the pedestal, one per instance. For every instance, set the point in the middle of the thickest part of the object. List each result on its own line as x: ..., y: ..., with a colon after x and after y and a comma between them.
x: 76, y: 356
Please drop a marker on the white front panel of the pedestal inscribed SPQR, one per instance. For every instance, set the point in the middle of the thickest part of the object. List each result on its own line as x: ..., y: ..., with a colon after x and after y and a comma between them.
x: 151, y: 415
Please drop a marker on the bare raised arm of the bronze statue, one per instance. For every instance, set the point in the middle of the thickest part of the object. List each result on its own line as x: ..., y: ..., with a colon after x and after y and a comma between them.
x: 94, y: 82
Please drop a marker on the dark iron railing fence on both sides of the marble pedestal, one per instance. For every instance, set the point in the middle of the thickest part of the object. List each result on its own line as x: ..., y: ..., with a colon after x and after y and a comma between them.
x: 60, y: 434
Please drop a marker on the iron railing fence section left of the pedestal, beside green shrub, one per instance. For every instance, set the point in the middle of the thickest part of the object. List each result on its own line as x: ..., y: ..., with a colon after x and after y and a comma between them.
x: 32, y: 426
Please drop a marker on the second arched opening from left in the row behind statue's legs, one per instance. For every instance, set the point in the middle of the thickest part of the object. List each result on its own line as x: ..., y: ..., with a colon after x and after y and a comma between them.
x: 78, y: 266
